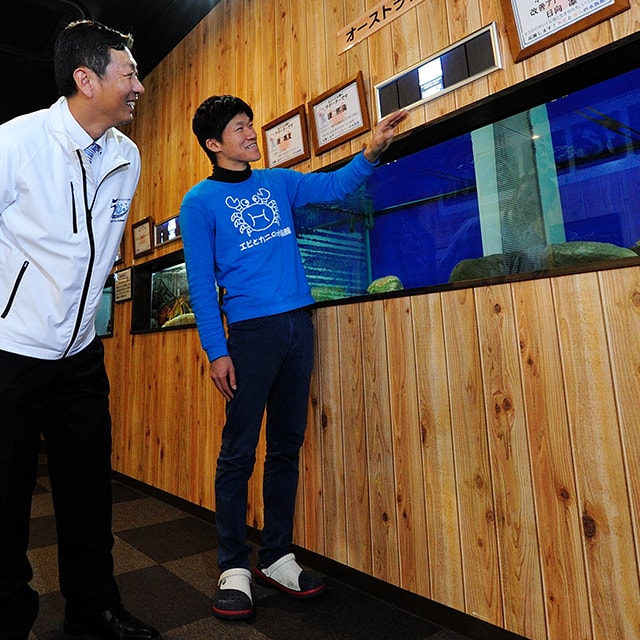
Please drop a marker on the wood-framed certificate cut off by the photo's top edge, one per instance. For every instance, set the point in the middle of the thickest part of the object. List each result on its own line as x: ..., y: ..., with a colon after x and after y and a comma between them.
x: 529, y: 32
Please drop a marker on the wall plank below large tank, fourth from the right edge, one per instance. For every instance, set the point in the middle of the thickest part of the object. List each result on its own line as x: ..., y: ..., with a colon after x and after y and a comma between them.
x: 510, y: 463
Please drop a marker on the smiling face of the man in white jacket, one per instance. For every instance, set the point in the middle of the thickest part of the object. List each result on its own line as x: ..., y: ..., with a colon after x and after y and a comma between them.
x: 118, y: 90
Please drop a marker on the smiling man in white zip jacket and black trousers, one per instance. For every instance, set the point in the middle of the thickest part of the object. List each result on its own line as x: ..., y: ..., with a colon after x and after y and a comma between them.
x: 67, y: 177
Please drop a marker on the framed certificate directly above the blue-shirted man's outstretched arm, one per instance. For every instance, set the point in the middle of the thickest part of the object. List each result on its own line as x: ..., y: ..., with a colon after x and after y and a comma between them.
x: 339, y: 114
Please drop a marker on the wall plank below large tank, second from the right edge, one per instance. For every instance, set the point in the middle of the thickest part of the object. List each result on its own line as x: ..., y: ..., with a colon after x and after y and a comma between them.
x: 598, y: 458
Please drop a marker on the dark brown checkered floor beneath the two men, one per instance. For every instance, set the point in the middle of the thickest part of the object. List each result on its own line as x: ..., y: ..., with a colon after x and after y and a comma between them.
x: 166, y: 569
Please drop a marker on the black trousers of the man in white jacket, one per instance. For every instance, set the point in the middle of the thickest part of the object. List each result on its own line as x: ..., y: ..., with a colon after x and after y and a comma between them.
x: 67, y: 401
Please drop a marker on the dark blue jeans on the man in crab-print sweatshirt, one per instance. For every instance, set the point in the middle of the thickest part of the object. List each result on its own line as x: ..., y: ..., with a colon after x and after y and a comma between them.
x: 273, y: 358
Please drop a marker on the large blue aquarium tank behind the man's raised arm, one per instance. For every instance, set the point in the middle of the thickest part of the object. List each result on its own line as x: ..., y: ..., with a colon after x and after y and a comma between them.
x: 555, y: 185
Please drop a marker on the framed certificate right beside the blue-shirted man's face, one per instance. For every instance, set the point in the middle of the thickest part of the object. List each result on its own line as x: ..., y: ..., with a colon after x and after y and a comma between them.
x: 285, y: 140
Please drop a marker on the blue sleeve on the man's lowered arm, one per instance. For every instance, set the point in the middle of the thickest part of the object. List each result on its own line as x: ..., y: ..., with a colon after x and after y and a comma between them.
x: 198, y: 235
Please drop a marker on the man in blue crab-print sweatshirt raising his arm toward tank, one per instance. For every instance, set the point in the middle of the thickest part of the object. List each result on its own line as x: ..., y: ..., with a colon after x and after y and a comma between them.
x: 238, y: 234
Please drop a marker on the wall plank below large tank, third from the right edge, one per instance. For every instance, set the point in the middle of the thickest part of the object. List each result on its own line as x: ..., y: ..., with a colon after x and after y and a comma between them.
x: 558, y: 517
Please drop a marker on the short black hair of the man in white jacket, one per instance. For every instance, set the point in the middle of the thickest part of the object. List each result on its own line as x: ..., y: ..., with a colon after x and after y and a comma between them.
x: 85, y: 43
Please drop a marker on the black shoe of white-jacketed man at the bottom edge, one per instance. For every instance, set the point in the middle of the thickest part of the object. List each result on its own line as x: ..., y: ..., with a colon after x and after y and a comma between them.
x: 112, y: 624
